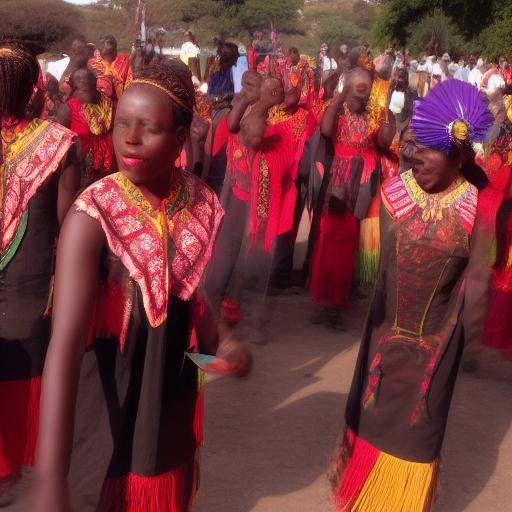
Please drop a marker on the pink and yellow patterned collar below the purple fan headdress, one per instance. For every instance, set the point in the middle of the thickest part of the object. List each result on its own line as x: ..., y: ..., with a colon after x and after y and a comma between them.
x: 402, y: 195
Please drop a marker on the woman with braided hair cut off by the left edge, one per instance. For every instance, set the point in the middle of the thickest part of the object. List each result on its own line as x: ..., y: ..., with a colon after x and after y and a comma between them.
x: 39, y: 178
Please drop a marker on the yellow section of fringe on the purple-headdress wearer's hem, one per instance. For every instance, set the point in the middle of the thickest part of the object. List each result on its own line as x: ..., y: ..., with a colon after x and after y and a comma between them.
x: 395, y: 485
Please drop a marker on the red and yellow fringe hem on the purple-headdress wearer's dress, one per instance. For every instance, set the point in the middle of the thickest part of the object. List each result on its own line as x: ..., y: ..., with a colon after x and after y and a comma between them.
x: 375, y: 481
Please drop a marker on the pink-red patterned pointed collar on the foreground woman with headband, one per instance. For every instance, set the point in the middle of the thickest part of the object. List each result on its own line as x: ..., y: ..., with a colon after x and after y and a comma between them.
x: 137, y: 234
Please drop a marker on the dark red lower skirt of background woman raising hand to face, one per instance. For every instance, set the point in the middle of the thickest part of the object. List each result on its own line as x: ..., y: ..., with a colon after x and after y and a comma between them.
x: 334, y: 259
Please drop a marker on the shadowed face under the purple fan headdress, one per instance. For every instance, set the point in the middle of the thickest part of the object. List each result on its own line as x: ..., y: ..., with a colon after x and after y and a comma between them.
x: 432, y: 170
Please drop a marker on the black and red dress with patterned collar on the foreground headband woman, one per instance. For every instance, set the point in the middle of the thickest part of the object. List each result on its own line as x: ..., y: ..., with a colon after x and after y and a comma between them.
x: 139, y: 416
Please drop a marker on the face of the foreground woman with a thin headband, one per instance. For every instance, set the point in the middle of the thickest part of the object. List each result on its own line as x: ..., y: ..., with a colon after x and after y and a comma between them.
x: 145, y: 139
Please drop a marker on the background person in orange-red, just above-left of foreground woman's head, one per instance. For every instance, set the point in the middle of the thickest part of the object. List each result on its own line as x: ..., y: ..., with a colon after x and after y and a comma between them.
x: 111, y: 66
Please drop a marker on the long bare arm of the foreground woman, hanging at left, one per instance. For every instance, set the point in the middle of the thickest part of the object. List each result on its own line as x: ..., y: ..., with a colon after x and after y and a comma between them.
x: 78, y: 256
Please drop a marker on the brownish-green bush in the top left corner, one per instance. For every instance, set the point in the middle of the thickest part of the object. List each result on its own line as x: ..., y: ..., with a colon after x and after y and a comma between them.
x: 45, y: 22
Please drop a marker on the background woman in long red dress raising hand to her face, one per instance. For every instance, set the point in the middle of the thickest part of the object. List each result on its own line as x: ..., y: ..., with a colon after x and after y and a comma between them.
x: 357, y: 132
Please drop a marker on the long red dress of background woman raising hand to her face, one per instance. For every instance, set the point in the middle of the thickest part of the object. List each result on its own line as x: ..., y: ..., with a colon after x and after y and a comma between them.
x: 348, y: 192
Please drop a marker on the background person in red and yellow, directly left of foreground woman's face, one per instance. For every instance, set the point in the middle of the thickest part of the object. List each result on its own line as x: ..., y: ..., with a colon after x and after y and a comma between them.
x: 89, y: 114
